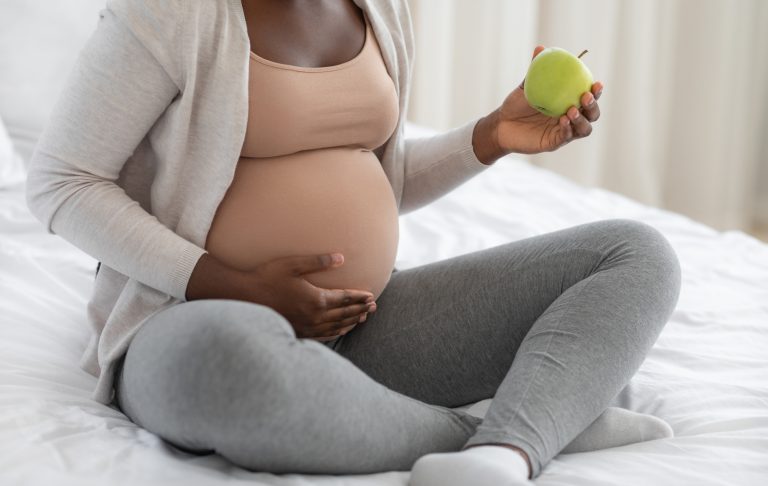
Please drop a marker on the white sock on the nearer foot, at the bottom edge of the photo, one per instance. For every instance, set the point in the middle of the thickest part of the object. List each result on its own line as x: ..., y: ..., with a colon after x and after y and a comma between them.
x: 485, y: 465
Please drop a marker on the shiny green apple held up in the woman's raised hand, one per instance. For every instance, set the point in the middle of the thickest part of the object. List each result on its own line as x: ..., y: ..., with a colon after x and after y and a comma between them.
x: 556, y: 80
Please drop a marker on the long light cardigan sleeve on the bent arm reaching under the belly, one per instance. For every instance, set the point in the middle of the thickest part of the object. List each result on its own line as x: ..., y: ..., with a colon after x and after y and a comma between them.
x: 113, y: 96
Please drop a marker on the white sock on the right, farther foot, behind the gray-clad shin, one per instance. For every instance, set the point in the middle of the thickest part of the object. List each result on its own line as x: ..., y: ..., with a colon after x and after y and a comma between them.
x: 617, y: 427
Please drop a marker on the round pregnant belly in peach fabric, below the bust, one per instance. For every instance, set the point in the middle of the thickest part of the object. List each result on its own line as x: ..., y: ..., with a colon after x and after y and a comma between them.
x: 307, y: 203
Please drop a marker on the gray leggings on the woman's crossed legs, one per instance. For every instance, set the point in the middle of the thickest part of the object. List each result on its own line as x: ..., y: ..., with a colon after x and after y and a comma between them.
x: 552, y: 327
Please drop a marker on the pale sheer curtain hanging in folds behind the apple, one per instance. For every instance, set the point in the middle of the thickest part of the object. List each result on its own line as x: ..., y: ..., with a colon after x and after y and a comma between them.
x: 684, y: 121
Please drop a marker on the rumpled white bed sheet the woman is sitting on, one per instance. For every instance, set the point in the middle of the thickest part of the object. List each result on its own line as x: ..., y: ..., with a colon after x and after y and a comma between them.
x: 707, y: 375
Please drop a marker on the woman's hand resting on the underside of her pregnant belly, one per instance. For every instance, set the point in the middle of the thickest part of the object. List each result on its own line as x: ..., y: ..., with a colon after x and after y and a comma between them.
x: 313, y: 312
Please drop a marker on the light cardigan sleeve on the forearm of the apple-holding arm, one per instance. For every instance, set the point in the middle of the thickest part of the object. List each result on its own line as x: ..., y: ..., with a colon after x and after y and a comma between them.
x: 438, y: 164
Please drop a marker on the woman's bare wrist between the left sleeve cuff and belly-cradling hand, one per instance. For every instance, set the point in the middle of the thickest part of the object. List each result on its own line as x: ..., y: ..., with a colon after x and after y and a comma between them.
x: 211, y: 279
